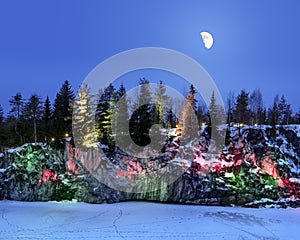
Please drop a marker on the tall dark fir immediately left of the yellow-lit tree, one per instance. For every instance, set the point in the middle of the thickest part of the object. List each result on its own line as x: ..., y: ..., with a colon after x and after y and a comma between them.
x: 62, y: 113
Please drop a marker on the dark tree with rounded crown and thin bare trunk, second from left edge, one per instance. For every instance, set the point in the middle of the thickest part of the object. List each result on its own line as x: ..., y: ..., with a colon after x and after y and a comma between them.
x: 32, y: 112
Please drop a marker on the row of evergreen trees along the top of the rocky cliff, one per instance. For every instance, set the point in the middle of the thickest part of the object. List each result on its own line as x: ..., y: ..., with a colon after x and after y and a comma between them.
x: 34, y: 120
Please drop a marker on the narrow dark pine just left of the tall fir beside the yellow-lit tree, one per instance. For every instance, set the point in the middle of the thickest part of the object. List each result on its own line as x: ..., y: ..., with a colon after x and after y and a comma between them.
x: 46, y: 124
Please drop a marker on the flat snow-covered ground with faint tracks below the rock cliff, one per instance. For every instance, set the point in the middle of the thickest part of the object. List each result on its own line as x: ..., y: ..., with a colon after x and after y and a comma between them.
x: 144, y: 220
